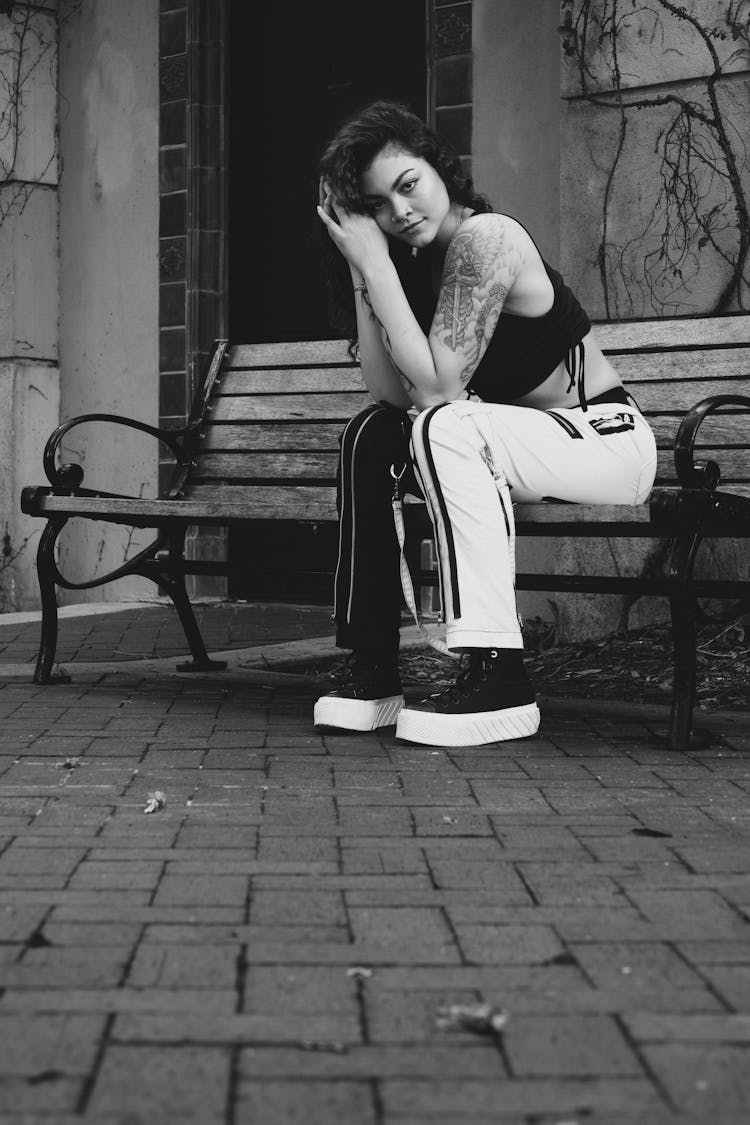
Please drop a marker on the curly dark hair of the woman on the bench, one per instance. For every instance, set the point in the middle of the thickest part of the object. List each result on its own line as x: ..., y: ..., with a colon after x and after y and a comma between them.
x: 349, y: 155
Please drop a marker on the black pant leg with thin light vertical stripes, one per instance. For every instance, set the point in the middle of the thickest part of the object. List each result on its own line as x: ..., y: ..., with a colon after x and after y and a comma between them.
x: 368, y: 589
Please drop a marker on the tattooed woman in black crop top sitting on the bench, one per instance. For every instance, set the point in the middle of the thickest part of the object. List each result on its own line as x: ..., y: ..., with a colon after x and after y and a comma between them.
x: 462, y: 323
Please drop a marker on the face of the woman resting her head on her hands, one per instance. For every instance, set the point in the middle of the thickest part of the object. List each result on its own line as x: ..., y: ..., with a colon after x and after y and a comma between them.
x: 409, y: 200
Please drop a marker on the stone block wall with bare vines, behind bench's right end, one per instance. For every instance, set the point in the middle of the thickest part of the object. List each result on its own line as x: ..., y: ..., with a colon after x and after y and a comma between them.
x: 654, y: 206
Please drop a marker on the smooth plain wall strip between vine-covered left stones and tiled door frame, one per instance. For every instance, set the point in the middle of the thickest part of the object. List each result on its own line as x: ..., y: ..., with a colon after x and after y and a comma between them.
x: 110, y: 268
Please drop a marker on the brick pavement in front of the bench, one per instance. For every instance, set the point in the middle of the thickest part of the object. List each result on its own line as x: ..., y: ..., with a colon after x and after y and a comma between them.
x: 276, y: 944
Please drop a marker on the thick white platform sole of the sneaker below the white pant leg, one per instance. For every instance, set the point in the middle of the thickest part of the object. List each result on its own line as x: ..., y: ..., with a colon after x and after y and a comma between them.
x: 431, y: 730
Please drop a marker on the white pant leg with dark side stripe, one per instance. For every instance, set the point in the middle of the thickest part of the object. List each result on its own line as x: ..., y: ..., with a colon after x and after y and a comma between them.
x: 603, y: 456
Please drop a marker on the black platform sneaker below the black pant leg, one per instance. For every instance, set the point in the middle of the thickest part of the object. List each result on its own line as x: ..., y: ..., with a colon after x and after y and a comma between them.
x: 371, y: 697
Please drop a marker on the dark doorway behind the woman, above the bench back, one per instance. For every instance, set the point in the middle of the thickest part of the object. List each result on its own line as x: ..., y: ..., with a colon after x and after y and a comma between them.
x: 295, y: 71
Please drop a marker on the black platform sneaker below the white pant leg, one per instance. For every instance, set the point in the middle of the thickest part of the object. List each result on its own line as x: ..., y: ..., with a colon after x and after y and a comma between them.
x: 492, y: 701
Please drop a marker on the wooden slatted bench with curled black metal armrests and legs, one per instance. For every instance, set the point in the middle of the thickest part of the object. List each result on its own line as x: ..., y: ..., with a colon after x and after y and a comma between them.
x: 263, y: 444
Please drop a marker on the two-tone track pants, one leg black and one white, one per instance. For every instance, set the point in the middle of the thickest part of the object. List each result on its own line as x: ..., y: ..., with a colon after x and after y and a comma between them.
x: 460, y: 451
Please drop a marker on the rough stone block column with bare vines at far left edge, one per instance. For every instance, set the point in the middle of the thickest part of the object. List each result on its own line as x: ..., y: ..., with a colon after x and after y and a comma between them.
x: 30, y: 377
